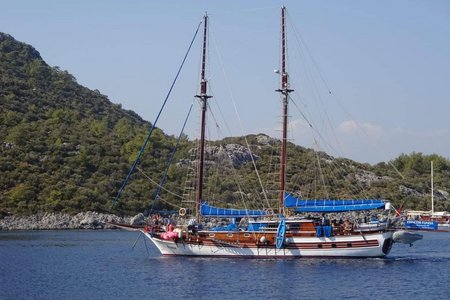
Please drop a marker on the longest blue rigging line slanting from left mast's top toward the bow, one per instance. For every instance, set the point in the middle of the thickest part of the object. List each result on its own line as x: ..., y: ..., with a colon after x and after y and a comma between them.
x: 152, y: 127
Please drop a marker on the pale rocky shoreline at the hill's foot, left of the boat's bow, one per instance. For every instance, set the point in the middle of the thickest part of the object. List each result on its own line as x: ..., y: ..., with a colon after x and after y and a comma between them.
x: 57, y: 221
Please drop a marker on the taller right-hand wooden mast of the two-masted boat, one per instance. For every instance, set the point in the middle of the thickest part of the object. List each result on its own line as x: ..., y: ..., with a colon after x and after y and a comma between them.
x: 284, y: 90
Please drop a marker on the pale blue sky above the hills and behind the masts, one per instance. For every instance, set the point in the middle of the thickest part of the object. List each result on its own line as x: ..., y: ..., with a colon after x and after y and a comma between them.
x: 371, y: 78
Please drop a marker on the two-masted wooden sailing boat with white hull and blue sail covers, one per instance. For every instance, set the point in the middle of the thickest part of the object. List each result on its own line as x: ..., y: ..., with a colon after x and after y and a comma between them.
x: 267, y: 234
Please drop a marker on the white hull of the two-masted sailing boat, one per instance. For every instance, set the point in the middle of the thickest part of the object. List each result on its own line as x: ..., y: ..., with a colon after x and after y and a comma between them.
x: 371, y: 245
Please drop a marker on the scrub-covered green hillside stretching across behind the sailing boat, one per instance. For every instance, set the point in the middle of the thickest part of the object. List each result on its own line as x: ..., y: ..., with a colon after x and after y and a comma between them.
x: 67, y: 148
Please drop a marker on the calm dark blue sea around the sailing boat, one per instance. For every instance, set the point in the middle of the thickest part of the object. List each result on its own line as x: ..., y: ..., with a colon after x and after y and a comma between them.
x: 103, y: 265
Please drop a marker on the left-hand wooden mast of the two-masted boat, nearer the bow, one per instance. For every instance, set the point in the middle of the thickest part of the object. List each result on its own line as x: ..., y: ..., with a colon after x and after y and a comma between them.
x: 203, y: 101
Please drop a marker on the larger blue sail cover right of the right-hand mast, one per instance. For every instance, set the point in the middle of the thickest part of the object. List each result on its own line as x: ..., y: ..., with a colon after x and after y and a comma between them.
x: 306, y: 205
